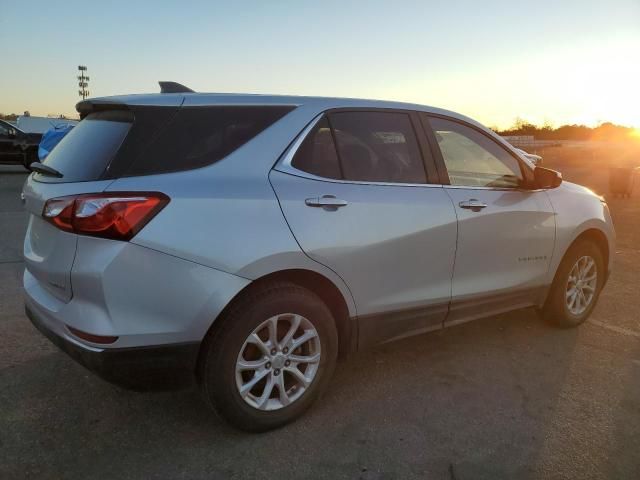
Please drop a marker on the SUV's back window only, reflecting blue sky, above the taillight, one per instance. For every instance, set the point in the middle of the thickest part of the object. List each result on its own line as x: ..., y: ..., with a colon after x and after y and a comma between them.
x: 84, y: 153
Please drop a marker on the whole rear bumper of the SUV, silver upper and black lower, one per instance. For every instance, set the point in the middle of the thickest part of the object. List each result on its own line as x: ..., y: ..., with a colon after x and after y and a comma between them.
x: 159, y: 307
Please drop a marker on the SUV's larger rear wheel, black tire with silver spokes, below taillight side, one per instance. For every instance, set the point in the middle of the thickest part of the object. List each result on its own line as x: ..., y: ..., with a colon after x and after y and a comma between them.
x: 228, y: 343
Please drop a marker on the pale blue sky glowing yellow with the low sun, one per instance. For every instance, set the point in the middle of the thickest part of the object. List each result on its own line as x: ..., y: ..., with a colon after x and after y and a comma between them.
x: 556, y: 61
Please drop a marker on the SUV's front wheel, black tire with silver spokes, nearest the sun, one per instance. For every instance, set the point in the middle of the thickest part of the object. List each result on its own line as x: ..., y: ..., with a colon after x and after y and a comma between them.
x: 557, y: 309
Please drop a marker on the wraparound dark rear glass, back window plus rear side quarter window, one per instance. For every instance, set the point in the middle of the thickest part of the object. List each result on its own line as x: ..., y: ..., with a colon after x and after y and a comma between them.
x: 152, y: 140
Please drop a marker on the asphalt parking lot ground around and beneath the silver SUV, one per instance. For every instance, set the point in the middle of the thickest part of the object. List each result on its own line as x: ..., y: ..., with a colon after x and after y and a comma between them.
x: 504, y: 397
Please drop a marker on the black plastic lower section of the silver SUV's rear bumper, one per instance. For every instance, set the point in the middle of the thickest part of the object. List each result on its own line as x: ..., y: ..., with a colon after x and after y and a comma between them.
x: 163, y: 367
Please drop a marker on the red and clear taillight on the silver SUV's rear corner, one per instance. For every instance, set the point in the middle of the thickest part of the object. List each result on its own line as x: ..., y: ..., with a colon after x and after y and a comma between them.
x: 115, y: 215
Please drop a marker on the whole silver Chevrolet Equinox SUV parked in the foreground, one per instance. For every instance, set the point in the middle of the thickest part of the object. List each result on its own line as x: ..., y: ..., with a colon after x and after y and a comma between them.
x: 248, y: 241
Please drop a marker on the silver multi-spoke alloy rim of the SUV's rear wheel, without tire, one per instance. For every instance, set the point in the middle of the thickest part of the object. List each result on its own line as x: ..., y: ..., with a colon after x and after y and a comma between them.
x: 278, y: 362
